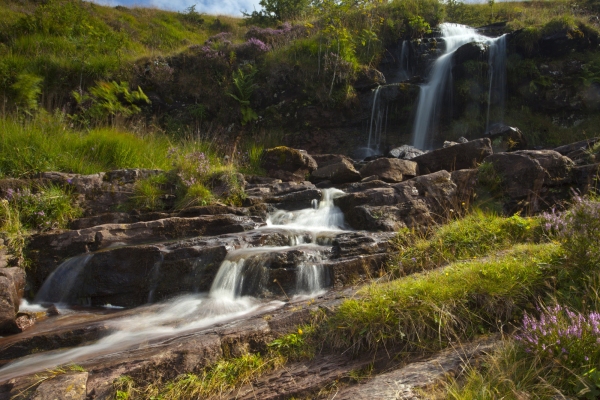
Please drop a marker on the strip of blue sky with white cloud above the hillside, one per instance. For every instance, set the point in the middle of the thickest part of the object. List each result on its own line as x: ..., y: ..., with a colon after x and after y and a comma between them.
x: 228, y: 7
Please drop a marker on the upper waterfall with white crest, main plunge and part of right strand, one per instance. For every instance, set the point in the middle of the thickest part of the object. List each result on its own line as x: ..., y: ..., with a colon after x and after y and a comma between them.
x: 431, y: 97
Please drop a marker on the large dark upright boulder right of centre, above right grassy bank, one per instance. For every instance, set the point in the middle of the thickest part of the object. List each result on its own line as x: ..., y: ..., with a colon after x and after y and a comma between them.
x: 522, y: 178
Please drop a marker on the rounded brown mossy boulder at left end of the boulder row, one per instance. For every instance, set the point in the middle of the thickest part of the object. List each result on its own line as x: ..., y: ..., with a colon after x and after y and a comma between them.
x: 288, y: 164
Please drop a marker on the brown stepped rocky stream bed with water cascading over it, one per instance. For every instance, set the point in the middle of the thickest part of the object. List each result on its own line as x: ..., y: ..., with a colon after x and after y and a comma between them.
x: 155, y: 295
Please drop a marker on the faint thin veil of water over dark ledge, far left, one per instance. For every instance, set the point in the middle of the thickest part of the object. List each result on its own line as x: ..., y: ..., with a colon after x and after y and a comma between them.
x: 61, y: 285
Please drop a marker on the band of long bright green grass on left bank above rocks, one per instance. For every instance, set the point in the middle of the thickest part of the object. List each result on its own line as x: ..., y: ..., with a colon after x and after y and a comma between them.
x: 46, y: 143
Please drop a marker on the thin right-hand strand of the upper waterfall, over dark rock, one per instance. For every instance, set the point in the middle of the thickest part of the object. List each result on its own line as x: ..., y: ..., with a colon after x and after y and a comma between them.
x: 497, y: 77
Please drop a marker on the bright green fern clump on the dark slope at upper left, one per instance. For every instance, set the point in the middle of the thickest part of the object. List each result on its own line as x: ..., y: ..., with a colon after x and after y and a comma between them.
x: 109, y: 100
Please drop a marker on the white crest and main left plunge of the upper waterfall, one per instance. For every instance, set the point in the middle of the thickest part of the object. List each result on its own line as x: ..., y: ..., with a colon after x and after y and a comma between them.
x: 431, y: 94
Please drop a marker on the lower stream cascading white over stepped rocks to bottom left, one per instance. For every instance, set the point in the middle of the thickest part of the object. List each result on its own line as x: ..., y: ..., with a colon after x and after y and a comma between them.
x: 231, y: 295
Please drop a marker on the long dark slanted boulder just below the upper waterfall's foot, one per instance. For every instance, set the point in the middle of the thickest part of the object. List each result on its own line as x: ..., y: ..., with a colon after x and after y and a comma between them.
x: 460, y: 156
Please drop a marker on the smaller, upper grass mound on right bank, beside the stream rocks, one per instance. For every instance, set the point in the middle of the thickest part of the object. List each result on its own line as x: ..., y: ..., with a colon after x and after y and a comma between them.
x: 476, y: 235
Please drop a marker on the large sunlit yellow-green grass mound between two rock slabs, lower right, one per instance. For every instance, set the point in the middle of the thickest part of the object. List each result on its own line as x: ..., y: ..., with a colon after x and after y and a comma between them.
x: 429, y: 311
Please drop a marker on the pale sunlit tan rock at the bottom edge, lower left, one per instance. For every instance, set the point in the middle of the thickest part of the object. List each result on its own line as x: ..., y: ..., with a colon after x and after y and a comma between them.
x: 70, y: 386
